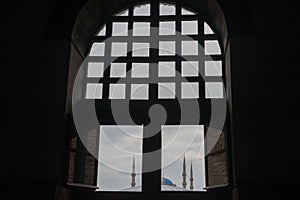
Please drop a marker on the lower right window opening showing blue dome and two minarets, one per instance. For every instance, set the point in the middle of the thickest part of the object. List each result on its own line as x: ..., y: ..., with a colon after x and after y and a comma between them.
x: 183, y: 158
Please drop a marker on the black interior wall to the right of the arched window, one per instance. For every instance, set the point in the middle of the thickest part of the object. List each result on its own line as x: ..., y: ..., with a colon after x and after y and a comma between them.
x: 266, y: 103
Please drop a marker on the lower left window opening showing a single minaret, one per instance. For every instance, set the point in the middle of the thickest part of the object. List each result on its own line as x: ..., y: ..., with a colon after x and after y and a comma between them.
x: 120, y: 158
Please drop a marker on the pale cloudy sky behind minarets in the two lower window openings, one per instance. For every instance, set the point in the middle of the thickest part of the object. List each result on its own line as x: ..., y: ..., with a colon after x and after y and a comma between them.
x: 119, y: 144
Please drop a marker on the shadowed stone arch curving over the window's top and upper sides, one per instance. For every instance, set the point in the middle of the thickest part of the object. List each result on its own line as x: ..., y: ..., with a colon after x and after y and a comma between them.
x: 95, y: 13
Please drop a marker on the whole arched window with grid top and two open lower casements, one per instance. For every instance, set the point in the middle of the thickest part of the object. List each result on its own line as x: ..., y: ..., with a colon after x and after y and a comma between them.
x: 154, y: 80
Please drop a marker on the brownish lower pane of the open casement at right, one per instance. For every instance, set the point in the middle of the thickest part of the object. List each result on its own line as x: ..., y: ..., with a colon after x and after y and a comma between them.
x: 217, y: 170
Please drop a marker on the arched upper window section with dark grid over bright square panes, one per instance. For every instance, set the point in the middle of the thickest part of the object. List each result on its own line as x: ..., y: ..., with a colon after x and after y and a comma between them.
x: 137, y: 69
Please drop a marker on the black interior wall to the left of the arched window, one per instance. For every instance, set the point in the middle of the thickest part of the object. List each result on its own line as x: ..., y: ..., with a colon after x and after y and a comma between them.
x: 34, y: 76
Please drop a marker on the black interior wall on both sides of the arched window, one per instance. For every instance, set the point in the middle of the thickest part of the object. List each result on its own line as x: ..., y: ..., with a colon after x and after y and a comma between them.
x: 264, y: 40
